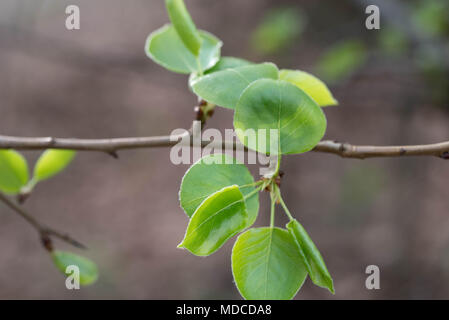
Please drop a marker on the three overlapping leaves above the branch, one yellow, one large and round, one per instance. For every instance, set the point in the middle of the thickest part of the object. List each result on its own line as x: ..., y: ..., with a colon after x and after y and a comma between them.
x: 286, y: 102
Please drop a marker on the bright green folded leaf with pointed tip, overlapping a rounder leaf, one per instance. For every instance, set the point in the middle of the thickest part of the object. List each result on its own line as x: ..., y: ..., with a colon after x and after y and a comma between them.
x: 221, y: 216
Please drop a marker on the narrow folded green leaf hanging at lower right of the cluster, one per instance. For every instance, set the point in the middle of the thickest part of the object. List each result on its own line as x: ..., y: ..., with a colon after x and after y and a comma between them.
x: 313, y: 260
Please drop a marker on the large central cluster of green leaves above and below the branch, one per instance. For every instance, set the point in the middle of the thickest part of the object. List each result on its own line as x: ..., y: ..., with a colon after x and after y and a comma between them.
x: 219, y: 195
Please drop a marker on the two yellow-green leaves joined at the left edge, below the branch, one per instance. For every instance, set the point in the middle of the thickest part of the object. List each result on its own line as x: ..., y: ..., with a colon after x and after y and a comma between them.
x: 14, y: 175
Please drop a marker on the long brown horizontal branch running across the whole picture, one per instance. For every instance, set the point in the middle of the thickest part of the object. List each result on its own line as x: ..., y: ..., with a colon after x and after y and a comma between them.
x: 111, y: 146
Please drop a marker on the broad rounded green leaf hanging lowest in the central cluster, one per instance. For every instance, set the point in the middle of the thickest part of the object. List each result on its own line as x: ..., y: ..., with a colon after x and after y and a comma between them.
x: 266, y: 265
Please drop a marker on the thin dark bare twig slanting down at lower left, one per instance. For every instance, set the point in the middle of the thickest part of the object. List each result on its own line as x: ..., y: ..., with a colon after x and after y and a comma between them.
x: 44, y: 232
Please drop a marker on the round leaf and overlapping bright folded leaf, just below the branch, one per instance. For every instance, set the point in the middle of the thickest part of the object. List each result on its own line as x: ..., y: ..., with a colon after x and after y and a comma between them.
x: 220, y: 198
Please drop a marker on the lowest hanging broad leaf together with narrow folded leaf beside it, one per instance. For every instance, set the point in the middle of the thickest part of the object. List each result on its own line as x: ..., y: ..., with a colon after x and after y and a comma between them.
x: 273, y: 263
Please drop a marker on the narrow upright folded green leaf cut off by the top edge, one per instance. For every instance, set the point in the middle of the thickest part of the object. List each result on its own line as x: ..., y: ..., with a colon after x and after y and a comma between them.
x: 184, y: 25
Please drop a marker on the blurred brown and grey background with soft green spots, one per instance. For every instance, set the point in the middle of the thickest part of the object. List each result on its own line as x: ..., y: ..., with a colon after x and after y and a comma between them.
x: 393, y: 88
